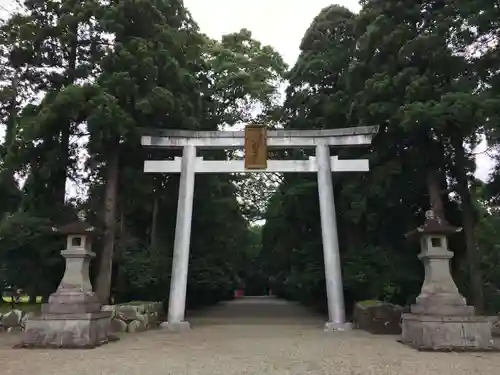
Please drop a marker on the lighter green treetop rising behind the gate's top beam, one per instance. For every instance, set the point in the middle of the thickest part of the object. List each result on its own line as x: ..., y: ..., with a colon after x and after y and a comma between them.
x: 241, y: 74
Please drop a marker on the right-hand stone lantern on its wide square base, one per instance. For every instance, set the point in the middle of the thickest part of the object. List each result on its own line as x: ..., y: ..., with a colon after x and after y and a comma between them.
x: 441, y: 319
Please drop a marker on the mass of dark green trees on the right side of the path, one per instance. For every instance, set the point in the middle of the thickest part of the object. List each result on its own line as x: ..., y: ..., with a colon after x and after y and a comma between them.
x: 406, y: 67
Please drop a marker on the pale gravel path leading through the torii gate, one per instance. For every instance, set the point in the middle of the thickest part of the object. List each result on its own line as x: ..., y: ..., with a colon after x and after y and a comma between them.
x: 230, y: 339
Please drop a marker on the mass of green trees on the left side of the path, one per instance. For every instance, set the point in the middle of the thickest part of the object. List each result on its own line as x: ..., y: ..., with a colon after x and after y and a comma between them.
x: 156, y: 71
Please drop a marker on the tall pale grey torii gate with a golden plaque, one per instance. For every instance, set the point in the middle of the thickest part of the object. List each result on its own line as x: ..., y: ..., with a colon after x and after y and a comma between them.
x: 256, y: 139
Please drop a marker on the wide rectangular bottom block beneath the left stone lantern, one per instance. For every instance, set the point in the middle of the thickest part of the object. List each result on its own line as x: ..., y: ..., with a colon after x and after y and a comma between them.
x: 74, y: 330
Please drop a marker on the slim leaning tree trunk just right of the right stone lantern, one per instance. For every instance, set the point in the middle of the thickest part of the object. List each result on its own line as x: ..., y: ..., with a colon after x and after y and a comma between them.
x: 473, y: 254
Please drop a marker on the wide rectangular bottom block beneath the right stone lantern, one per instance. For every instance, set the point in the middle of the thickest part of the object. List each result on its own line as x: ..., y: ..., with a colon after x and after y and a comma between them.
x: 447, y: 333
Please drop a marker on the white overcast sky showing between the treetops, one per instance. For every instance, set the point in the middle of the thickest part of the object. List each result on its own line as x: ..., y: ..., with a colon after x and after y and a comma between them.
x: 279, y: 23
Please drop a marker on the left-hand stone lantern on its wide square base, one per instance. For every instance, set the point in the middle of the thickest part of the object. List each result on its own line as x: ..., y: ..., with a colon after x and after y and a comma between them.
x: 72, y: 318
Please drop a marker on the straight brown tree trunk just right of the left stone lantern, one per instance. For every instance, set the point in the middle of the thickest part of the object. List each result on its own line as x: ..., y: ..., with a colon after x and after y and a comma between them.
x: 103, y: 284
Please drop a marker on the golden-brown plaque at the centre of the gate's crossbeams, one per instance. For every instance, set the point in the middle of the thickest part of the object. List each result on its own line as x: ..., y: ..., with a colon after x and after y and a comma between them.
x: 255, y: 147
